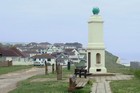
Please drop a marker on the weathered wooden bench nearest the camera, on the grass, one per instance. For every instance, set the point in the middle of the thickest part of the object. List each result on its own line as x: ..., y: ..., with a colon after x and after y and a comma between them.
x: 75, y: 83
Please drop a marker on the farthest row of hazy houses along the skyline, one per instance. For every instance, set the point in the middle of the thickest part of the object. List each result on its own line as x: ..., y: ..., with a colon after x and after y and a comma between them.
x: 46, y: 47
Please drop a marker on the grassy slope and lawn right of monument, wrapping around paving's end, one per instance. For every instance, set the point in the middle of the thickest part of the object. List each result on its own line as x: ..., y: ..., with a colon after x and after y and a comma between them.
x: 123, y: 86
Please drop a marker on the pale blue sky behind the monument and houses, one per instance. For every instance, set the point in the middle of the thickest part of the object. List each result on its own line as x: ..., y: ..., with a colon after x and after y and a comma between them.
x: 66, y: 21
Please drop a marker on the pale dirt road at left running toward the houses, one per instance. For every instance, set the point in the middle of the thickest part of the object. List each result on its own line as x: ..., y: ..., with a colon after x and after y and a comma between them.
x: 8, y: 81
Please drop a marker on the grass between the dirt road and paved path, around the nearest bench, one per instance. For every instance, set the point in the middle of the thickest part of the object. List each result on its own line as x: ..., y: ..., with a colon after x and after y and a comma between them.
x: 48, y: 84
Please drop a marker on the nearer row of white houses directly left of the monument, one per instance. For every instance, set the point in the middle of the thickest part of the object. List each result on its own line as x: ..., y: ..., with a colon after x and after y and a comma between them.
x: 69, y: 55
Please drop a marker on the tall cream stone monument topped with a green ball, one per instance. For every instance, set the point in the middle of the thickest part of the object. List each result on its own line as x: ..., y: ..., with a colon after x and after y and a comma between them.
x: 96, y: 48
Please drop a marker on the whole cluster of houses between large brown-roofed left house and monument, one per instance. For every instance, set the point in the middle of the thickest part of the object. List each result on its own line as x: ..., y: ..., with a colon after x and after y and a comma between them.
x: 71, y: 51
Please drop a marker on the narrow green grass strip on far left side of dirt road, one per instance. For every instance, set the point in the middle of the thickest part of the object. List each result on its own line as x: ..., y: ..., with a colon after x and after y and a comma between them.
x: 4, y: 70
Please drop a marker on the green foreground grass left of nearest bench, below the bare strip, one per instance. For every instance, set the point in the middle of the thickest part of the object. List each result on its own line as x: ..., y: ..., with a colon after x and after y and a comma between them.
x: 41, y: 87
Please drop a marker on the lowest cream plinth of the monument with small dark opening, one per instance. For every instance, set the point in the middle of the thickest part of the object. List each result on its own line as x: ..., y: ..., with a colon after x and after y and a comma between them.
x: 97, y: 70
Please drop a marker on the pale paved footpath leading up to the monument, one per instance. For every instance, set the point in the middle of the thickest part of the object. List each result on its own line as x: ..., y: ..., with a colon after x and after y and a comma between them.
x: 102, y: 82
